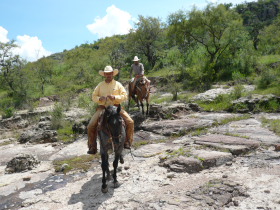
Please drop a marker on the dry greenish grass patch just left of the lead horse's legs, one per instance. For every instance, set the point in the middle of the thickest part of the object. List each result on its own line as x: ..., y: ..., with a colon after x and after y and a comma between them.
x: 80, y: 163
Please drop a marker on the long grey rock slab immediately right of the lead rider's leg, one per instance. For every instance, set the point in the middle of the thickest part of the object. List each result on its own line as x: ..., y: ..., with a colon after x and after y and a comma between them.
x: 173, y: 127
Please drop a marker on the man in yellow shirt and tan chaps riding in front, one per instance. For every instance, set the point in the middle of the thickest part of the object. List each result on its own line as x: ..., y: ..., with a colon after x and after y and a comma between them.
x: 108, y: 92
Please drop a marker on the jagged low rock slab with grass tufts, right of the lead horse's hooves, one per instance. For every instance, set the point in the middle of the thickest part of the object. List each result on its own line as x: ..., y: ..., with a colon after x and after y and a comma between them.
x: 196, y: 161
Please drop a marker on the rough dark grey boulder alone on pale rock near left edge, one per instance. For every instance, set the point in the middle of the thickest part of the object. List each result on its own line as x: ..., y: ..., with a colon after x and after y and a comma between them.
x: 20, y: 163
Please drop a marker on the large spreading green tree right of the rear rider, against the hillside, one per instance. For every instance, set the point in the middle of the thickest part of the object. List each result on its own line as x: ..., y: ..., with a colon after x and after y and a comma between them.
x: 212, y: 34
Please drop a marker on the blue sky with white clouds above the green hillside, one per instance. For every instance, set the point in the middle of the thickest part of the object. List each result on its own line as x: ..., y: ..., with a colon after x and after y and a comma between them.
x: 43, y: 27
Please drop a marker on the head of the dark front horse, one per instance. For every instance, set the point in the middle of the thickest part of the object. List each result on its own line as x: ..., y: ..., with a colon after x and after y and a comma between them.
x: 114, y: 122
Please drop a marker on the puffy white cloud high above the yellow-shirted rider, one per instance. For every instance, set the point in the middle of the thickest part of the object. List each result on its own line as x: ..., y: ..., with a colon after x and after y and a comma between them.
x: 116, y: 21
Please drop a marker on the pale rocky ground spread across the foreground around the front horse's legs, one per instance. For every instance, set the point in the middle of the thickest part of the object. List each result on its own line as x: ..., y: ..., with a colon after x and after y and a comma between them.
x: 192, y: 160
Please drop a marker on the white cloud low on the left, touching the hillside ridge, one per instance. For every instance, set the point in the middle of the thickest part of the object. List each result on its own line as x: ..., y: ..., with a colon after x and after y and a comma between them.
x: 30, y: 48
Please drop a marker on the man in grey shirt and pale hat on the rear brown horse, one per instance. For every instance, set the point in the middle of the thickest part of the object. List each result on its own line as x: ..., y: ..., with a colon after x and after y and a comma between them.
x: 138, y: 69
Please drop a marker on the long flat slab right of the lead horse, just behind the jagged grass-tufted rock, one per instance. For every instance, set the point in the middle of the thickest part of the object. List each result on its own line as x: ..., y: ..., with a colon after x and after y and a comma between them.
x: 236, y: 145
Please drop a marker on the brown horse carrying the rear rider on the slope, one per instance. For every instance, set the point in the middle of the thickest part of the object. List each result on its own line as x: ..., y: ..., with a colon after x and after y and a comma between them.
x: 142, y: 92
